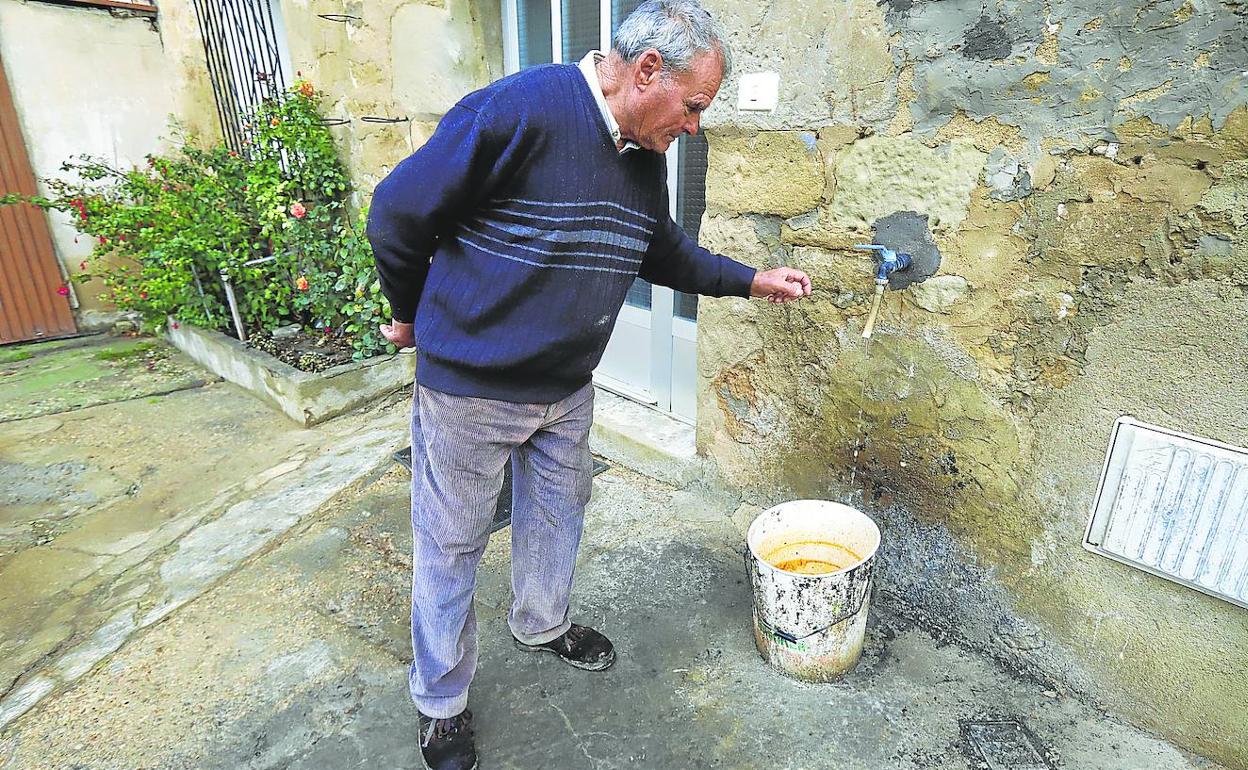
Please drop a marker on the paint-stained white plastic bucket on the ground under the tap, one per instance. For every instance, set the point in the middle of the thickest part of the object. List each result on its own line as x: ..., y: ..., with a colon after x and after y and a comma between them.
x: 811, y: 566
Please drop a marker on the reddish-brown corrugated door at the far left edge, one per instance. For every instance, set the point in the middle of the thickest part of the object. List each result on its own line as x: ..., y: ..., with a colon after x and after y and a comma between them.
x: 32, y: 305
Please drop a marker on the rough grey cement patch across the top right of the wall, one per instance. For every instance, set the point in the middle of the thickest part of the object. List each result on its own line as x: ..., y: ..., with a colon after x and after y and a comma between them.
x: 1071, y: 72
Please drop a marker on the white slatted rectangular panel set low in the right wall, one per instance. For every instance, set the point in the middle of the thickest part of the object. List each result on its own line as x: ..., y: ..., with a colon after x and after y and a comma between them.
x: 1175, y: 506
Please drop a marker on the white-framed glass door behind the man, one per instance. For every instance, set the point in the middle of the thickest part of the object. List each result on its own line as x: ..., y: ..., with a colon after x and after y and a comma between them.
x: 653, y: 354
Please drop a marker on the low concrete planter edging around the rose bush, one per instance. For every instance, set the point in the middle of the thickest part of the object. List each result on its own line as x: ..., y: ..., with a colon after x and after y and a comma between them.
x: 308, y: 399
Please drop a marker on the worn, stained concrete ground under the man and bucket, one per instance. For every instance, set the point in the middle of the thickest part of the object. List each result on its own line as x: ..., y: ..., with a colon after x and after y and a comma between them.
x: 246, y: 607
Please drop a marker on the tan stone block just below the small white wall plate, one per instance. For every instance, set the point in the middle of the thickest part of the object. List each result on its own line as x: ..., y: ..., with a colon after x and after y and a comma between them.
x: 777, y: 173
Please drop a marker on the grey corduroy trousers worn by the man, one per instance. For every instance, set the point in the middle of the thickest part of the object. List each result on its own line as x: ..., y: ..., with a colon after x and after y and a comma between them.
x: 460, y: 446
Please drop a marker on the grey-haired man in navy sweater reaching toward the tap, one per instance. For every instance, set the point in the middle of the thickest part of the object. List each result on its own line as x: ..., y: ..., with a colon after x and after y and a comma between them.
x: 506, y: 246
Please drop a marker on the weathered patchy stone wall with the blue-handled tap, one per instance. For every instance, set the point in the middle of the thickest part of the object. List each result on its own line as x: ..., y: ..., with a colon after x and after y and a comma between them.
x: 1084, y: 175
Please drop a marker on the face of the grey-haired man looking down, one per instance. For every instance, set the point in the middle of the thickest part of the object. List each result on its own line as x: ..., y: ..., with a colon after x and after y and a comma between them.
x: 671, y: 105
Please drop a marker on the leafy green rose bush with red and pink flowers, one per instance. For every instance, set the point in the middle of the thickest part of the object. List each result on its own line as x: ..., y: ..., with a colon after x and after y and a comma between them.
x: 270, y: 219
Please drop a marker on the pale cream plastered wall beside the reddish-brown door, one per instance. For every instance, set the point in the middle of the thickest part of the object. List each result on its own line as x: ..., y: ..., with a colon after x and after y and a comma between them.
x: 84, y: 82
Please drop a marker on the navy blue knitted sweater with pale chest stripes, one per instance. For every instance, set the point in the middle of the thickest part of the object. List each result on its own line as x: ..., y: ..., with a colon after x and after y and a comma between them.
x: 515, y: 233
